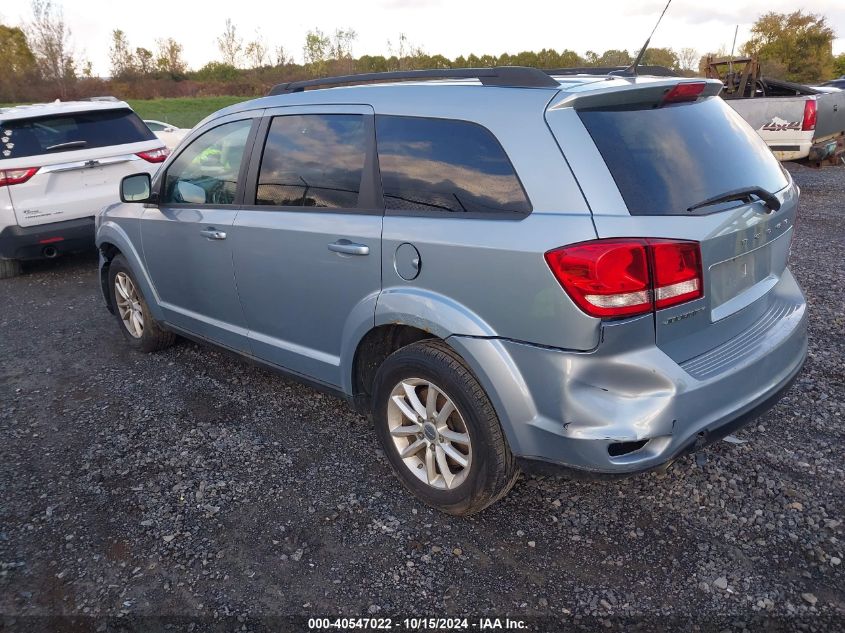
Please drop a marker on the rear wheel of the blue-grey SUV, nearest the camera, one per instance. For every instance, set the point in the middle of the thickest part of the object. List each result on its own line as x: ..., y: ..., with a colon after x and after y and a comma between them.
x: 439, y: 430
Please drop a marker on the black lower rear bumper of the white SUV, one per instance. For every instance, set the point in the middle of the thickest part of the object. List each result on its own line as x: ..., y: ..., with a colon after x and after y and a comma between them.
x: 18, y: 242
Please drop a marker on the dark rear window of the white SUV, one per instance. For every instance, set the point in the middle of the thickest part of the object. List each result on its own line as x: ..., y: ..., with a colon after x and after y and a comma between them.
x: 72, y: 131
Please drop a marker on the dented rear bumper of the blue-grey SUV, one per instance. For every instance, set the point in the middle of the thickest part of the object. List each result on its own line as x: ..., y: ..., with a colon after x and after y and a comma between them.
x: 583, y: 411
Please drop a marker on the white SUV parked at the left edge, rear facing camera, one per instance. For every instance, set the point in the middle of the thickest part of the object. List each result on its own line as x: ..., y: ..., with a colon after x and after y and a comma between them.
x: 60, y: 164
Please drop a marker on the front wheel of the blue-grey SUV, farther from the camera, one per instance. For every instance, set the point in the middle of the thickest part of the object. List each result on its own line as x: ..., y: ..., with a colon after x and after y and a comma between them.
x: 138, y: 326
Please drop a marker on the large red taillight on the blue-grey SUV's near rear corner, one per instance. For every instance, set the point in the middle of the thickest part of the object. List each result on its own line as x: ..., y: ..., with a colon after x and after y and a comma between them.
x: 624, y: 277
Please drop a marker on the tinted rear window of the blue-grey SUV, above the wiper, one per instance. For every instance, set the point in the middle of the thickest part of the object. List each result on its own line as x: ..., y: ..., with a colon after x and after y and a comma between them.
x: 666, y: 160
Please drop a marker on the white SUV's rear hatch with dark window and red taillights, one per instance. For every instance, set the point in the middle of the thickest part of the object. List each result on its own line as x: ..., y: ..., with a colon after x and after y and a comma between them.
x: 70, y: 164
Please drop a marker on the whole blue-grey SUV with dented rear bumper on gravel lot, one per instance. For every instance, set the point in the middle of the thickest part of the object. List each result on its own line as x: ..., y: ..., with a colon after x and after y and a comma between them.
x: 503, y: 268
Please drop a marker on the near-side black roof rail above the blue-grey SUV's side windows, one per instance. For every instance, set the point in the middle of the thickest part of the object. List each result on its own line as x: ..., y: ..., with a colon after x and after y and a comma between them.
x: 510, y: 76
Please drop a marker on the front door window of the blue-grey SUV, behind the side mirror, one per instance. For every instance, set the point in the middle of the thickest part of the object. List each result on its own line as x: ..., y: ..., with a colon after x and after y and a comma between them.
x: 207, y: 171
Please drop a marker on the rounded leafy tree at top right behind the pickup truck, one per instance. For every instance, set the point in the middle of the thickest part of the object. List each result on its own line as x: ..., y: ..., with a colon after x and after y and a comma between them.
x: 797, y: 45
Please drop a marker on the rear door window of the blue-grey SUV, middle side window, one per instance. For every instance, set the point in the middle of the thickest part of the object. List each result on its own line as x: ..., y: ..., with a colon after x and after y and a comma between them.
x: 313, y: 160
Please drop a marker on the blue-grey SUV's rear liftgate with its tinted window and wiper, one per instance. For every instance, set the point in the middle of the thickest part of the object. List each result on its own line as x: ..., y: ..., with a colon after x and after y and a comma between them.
x: 657, y: 166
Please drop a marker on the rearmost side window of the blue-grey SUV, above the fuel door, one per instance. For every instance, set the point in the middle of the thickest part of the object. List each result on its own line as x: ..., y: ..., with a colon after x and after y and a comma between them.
x: 445, y: 165
